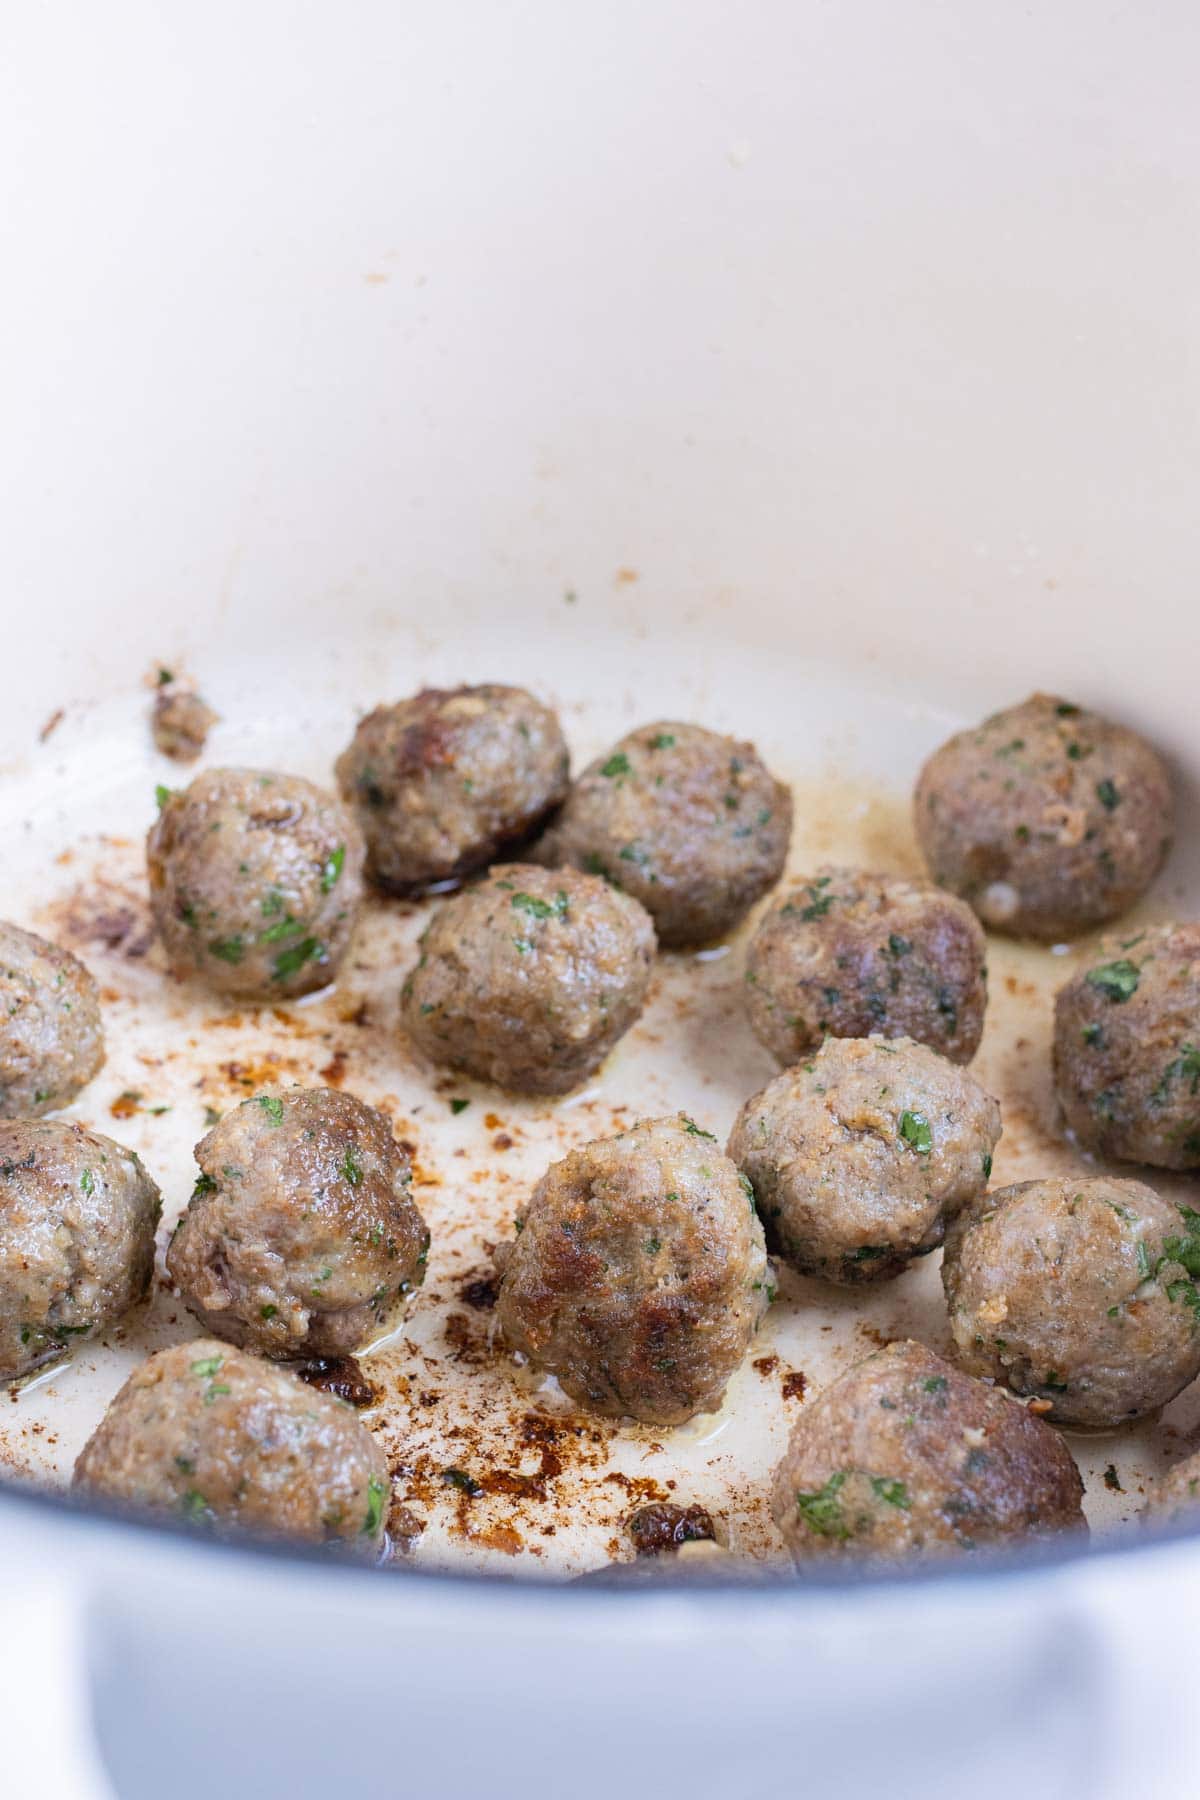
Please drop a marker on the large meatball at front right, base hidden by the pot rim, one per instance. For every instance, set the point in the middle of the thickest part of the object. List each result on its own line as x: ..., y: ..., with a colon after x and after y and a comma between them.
x: 904, y: 1457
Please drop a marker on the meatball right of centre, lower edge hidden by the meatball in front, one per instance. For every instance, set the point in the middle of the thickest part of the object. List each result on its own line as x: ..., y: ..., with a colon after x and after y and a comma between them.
x: 850, y: 955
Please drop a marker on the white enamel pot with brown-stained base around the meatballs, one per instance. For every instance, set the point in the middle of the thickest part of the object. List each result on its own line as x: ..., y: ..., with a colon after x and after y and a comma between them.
x: 819, y: 373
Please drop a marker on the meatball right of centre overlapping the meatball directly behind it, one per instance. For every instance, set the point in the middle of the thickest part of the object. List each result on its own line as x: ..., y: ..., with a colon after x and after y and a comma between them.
x: 861, y: 1156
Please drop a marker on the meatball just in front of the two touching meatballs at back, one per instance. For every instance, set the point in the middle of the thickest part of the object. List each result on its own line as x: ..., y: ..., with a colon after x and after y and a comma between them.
x: 530, y: 978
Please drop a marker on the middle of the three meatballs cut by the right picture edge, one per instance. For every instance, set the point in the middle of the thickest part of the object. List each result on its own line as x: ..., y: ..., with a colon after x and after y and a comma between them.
x: 1079, y: 1291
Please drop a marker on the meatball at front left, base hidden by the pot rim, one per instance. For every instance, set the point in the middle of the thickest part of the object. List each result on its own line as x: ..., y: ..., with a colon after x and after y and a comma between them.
x: 226, y: 1441
